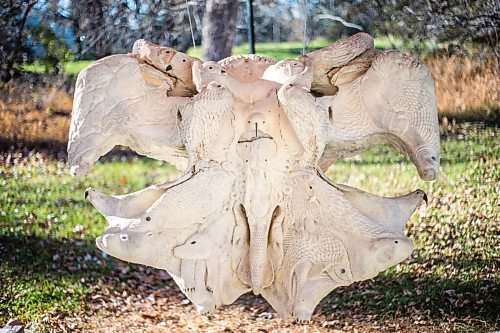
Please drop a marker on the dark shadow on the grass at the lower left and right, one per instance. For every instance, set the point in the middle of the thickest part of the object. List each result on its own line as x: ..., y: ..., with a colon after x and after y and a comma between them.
x: 40, y: 275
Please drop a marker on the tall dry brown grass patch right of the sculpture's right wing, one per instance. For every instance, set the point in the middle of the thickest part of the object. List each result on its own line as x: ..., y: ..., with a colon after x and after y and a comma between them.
x: 467, y: 88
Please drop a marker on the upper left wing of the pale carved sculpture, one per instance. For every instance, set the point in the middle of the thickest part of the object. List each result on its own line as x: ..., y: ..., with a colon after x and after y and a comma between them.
x: 131, y: 100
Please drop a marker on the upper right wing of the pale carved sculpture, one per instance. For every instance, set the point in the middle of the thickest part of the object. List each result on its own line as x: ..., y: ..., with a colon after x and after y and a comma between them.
x: 375, y: 97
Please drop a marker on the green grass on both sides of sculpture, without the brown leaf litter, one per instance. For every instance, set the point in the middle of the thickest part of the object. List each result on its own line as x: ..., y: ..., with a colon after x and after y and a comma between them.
x: 50, y: 266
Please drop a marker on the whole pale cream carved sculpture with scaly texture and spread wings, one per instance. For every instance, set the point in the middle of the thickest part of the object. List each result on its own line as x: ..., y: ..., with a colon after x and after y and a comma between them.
x: 253, y: 210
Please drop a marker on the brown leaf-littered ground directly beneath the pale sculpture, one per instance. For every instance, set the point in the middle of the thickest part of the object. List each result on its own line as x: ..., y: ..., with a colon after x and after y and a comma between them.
x: 166, y: 310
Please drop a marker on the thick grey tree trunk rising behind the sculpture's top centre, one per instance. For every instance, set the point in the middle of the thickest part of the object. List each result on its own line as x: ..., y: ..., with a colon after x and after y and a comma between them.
x: 219, y: 28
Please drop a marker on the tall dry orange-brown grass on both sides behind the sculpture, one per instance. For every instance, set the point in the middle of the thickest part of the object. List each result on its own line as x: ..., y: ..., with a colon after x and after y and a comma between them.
x: 467, y: 89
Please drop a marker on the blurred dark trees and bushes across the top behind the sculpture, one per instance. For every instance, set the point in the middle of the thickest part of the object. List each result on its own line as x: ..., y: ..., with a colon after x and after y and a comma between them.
x: 52, y: 31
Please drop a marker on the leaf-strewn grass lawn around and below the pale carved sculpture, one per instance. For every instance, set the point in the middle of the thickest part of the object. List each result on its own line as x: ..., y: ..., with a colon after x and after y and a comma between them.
x: 52, y: 275
